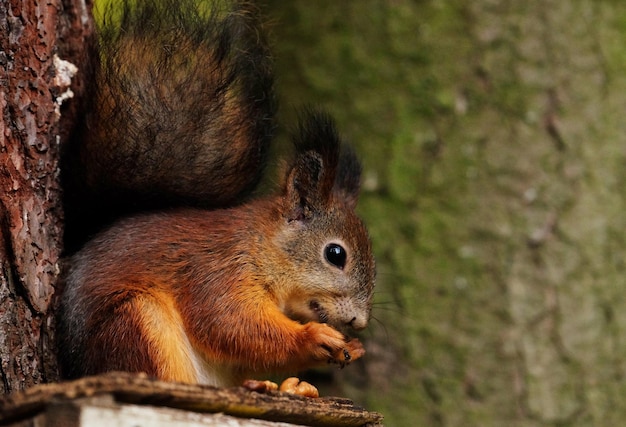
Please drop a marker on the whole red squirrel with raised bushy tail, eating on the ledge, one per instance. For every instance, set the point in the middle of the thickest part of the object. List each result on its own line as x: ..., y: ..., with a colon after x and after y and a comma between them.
x: 183, y: 275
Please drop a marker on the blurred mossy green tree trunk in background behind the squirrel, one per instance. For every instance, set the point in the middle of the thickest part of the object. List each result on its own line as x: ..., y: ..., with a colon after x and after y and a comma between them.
x: 493, y: 135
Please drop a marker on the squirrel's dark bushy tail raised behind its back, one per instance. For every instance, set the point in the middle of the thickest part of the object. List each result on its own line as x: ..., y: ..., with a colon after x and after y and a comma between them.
x: 181, y: 112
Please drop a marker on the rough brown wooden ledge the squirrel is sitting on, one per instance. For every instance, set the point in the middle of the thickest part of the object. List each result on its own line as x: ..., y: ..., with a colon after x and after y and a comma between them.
x: 136, y: 389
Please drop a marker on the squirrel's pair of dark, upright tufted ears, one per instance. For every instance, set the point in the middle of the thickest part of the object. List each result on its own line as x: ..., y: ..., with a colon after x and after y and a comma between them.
x: 319, y: 172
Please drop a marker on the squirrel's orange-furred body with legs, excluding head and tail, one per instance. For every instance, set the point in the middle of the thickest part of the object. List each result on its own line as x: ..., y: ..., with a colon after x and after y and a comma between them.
x: 204, y: 304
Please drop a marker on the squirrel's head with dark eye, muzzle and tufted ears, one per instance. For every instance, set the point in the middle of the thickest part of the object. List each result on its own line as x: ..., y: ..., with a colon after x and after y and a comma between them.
x: 324, y: 247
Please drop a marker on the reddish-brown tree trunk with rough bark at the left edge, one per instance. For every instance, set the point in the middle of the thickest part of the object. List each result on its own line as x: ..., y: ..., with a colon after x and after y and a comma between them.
x: 39, y: 41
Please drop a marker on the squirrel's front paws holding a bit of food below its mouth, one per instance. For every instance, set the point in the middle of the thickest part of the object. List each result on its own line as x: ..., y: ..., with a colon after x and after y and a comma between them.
x: 331, y: 345
